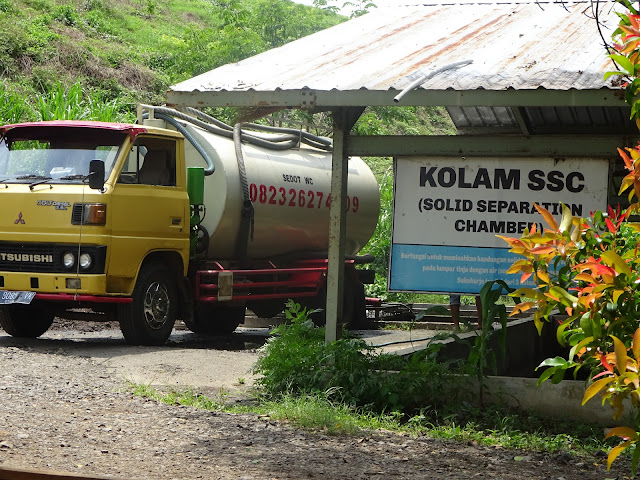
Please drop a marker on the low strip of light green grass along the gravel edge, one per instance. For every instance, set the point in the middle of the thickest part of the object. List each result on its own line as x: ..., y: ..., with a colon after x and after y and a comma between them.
x: 491, y: 426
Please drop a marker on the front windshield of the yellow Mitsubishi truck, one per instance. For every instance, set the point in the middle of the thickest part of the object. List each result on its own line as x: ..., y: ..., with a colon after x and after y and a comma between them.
x: 60, y: 154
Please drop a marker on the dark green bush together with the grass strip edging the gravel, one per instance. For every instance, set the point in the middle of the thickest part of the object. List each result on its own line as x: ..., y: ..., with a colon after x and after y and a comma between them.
x: 347, y: 388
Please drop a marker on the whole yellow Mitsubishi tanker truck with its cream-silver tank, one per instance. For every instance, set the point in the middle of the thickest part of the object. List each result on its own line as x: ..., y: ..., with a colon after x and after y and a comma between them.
x: 176, y: 216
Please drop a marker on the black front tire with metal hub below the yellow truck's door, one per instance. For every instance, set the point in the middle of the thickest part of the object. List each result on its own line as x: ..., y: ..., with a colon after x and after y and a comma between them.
x: 149, y: 319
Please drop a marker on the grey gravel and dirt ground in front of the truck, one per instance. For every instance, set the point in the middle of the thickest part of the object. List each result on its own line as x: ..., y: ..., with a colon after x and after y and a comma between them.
x: 65, y: 407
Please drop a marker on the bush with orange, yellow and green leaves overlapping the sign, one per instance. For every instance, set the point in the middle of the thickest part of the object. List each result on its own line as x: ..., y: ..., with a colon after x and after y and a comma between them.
x: 589, y: 270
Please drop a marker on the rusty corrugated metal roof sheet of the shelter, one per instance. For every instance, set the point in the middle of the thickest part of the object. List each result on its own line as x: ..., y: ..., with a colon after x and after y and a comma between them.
x: 551, y: 45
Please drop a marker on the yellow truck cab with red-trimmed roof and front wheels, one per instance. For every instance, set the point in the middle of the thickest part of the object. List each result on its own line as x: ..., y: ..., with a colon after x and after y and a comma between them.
x: 119, y: 248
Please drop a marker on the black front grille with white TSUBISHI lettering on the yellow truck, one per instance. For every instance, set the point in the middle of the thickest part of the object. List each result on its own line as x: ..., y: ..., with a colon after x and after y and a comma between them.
x: 45, y: 257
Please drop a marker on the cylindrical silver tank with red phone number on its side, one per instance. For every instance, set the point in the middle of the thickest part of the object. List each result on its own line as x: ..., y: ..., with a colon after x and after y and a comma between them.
x: 289, y: 190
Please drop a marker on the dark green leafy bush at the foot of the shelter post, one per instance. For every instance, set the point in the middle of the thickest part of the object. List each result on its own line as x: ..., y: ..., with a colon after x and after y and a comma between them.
x: 297, y: 361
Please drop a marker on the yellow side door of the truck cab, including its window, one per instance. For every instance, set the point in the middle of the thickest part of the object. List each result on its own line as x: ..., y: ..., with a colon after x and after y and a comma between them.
x: 150, y: 211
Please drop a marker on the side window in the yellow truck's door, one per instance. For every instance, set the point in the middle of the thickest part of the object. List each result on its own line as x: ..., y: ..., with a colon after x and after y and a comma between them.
x: 151, y: 161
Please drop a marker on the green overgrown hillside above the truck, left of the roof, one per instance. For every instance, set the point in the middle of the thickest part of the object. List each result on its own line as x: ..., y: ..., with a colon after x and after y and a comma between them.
x: 122, y: 52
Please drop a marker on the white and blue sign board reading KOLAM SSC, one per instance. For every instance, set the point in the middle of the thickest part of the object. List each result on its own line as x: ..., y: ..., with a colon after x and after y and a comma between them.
x: 448, y: 211
